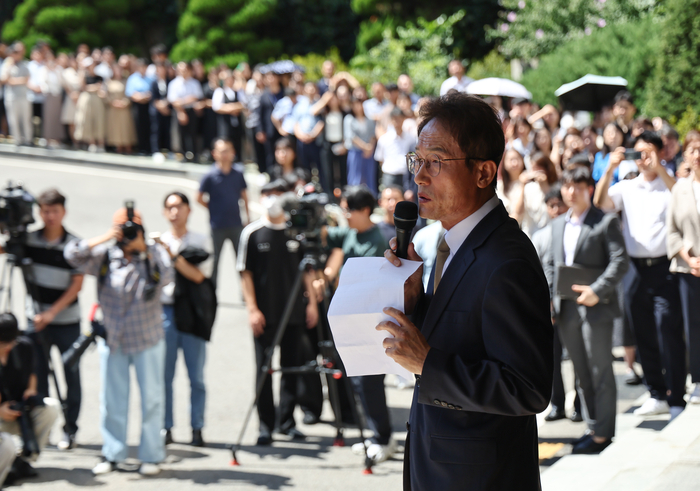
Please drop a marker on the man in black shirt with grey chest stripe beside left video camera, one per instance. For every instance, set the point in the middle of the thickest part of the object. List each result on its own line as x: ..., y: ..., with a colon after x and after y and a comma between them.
x: 53, y: 287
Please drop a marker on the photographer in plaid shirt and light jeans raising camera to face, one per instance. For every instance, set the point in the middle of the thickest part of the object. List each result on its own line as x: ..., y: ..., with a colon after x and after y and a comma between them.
x: 131, y: 276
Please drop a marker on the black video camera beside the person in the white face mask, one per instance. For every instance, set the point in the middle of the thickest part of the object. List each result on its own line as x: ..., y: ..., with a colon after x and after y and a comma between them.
x: 307, y: 212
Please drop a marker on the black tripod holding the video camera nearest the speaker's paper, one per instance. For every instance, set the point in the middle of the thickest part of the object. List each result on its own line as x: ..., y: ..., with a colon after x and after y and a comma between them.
x: 310, y: 262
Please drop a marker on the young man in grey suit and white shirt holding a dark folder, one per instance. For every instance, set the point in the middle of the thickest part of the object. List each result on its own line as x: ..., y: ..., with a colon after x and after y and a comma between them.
x: 587, y: 238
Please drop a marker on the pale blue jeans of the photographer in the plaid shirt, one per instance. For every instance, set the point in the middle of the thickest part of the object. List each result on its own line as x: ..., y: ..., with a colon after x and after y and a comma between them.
x: 114, y: 401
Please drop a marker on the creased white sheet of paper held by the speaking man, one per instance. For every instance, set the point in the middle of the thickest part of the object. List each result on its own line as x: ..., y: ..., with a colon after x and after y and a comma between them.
x: 367, y: 285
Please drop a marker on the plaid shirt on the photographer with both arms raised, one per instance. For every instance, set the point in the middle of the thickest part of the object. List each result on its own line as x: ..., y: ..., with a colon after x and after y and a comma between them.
x: 132, y: 323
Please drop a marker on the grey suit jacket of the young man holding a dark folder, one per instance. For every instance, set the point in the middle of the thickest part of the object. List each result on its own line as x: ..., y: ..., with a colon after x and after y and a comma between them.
x: 600, y: 246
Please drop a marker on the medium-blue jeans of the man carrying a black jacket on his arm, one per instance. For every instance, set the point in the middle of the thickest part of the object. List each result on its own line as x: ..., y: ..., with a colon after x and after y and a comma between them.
x: 195, y: 351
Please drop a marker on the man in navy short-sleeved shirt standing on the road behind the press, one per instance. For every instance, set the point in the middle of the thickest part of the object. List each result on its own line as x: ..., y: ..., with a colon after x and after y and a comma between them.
x: 224, y: 187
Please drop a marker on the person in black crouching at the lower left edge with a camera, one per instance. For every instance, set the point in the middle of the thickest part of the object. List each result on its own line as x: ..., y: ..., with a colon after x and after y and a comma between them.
x: 22, y: 411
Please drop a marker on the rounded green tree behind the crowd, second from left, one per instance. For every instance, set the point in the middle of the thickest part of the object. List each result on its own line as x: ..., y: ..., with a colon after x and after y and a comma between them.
x: 225, y: 31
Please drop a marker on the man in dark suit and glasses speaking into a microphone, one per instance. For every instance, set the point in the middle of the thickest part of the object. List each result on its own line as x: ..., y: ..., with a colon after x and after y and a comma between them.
x: 480, y: 338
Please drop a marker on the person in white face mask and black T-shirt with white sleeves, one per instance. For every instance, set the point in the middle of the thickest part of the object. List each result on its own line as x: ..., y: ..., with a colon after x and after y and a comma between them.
x: 268, y: 261
